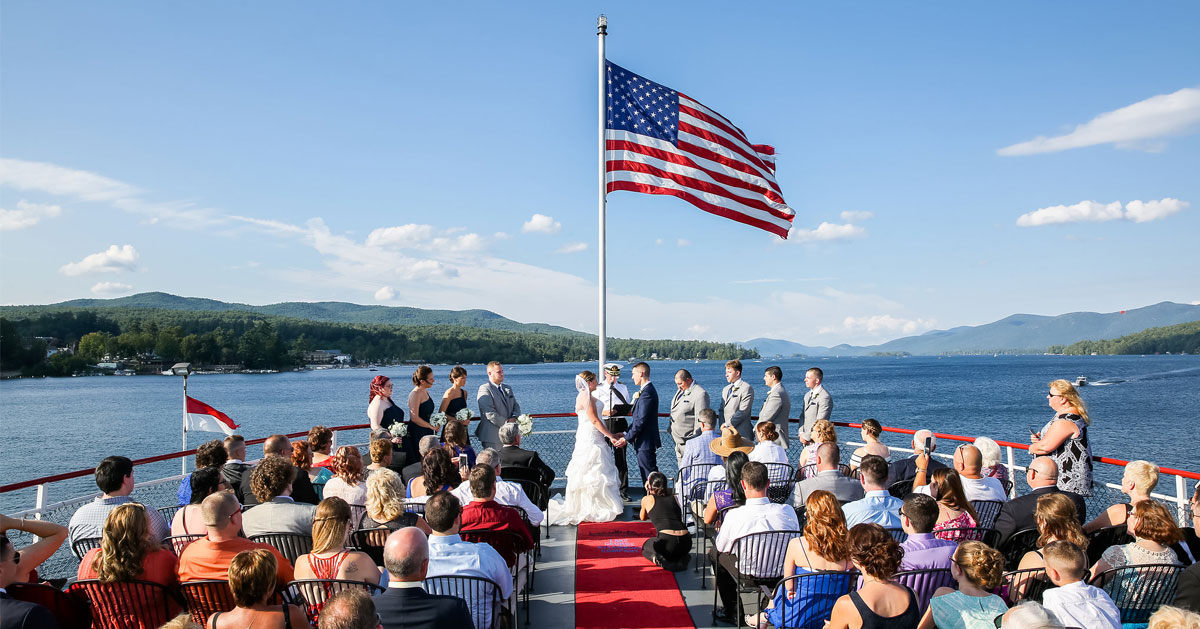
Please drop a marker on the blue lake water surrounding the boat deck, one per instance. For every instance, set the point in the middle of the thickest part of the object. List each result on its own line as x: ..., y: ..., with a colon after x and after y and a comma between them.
x: 1143, y: 408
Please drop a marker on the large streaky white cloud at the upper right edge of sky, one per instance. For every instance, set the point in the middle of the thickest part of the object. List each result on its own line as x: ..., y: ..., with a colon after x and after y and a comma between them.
x: 1129, y: 128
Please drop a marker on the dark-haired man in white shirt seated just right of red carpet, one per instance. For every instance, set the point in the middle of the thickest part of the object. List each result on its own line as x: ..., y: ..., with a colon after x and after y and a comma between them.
x: 758, y: 516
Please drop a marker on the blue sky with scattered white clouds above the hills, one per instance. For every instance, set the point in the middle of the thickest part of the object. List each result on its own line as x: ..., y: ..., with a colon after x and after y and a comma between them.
x: 969, y: 161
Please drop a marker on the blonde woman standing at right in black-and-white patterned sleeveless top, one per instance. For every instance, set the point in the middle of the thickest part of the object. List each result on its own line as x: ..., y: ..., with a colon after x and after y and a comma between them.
x: 1065, y: 439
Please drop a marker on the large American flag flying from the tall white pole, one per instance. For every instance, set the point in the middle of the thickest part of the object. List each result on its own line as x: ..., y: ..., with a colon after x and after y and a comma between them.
x: 662, y: 142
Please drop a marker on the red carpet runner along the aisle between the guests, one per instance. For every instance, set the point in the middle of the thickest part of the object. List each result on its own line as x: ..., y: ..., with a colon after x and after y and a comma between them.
x: 616, y: 588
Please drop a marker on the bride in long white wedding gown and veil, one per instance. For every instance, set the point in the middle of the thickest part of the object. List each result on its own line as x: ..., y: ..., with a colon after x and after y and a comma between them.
x: 592, y: 490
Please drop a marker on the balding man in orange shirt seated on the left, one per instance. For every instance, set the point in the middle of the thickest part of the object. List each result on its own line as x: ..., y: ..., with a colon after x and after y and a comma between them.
x: 209, y: 558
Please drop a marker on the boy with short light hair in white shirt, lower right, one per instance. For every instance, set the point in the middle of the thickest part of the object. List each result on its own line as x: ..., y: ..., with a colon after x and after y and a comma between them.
x: 1076, y: 603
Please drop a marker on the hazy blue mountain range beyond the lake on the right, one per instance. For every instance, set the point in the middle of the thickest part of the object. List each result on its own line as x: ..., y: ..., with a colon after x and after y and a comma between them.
x: 1018, y: 333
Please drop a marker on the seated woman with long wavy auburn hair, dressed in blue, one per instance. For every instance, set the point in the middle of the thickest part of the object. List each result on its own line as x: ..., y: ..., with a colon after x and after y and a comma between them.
x: 823, y: 548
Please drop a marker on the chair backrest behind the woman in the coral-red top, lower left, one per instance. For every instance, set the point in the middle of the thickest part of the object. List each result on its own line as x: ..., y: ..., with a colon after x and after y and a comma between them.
x: 128, y: 606
